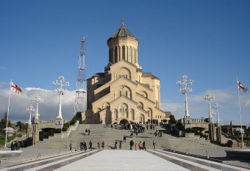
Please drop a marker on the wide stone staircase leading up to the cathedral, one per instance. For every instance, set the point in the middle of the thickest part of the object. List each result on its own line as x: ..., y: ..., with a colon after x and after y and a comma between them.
x: 99, y: 133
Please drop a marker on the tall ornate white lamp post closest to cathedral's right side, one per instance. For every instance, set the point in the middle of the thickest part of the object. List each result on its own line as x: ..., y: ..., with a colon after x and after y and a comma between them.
x: 184, y: 89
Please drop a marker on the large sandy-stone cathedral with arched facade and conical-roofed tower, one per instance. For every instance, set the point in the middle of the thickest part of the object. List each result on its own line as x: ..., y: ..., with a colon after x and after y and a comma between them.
x: 123, y: 92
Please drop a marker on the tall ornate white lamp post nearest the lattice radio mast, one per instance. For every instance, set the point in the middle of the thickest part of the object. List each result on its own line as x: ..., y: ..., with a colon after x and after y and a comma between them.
x: 60, y: 82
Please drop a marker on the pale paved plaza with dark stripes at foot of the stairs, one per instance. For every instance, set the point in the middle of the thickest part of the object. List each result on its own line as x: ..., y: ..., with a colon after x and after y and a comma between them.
x: 123, y: 160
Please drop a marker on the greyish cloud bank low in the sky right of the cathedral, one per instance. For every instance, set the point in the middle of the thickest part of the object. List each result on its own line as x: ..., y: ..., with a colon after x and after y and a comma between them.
x: 198, y: 107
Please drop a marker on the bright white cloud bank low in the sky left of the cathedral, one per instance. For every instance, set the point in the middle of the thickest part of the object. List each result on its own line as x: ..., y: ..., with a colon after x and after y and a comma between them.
x: 48, y: 108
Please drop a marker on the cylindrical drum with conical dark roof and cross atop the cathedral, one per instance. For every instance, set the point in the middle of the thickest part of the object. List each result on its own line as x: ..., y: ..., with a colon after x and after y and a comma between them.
x: 123, y: 45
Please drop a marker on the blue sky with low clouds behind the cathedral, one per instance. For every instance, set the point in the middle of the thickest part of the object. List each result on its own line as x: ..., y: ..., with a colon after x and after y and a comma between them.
x: 208, y: 40
